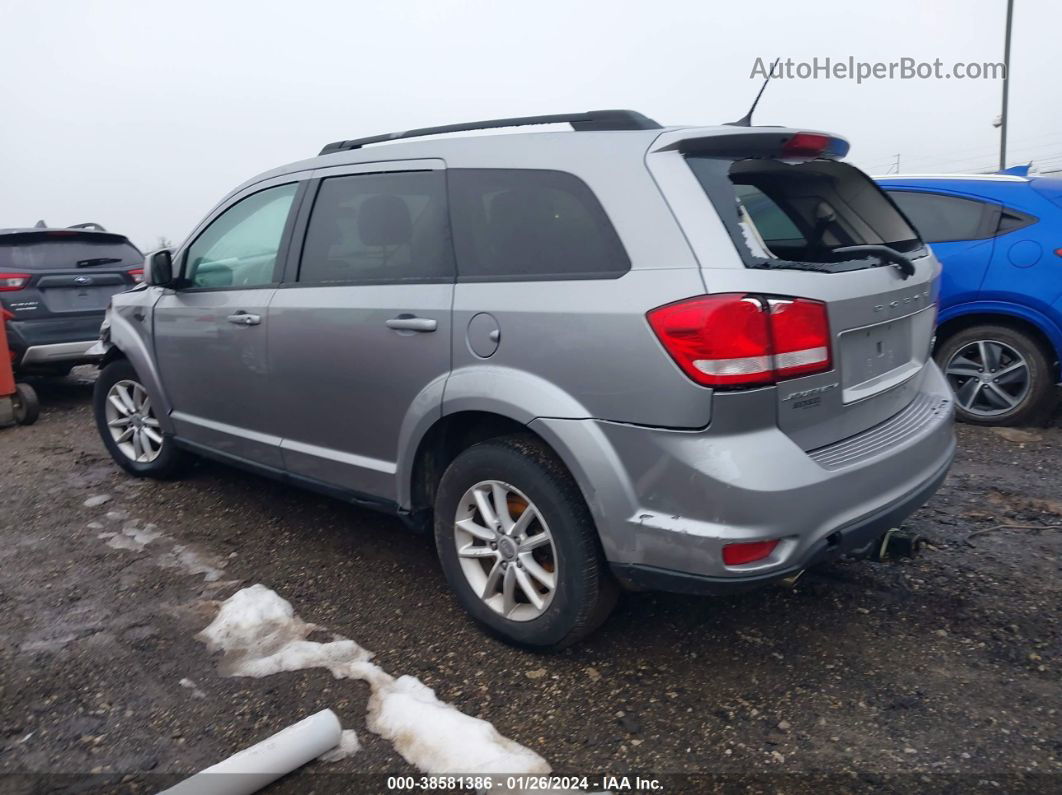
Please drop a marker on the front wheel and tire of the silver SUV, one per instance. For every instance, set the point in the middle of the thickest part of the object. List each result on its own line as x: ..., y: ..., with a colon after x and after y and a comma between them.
x: 129, y: 427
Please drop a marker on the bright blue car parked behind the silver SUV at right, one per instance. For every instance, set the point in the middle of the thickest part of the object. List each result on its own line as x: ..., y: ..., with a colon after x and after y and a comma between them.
x: 1000, y: 330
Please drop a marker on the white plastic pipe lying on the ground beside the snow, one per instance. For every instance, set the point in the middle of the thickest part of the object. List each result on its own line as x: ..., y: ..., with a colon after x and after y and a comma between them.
x: 252, y: 769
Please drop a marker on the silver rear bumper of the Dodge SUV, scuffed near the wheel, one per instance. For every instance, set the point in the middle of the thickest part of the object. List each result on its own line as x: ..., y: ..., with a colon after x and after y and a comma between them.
x: 666, y: 503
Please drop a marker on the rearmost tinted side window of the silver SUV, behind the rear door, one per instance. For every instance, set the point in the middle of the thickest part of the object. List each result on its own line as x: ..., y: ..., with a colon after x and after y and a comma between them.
x: 523, y: 224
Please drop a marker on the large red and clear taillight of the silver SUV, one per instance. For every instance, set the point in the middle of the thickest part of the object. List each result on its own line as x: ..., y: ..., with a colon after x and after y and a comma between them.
x: 735, y: 340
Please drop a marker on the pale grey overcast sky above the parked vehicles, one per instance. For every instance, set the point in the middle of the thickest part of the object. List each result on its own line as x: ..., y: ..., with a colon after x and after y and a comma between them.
x: 142, y: 115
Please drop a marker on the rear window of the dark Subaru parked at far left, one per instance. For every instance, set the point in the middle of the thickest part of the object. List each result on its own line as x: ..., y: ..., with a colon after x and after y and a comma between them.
x: 44, y: 251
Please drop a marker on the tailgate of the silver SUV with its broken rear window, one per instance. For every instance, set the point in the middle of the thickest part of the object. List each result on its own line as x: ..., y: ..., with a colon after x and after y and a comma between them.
x: 809, y: 227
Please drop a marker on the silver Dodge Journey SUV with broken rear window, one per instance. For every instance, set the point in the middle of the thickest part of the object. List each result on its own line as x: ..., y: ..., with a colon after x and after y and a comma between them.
x: 689, y: 359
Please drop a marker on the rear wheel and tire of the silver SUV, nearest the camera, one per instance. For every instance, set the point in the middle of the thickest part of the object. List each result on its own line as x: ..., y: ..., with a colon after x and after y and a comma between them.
x: 519, y: 546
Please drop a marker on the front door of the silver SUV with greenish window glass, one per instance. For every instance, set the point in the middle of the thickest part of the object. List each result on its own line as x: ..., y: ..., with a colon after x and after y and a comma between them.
x: 211, y: 333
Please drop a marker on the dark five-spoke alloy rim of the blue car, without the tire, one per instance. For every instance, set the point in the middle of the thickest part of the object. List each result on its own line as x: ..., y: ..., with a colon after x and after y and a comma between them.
x: 989, y: 378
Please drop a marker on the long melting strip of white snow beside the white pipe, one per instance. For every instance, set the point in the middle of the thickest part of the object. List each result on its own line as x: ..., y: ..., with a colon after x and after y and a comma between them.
x: 260, y: 634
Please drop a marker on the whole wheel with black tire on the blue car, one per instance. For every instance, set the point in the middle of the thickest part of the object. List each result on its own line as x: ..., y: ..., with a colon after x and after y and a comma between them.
x: 1001, y: 376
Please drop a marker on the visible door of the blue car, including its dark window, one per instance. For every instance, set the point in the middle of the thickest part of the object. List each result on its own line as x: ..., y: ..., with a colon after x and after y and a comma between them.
x: 962, y: 232
